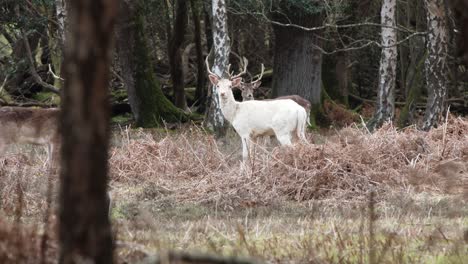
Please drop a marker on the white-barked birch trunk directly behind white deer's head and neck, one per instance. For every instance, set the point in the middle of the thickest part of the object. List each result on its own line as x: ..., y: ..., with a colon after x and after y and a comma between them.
x: 221, y: 46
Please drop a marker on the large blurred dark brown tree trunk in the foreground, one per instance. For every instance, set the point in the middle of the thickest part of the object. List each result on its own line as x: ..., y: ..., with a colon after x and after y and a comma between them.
x: 84, y: 228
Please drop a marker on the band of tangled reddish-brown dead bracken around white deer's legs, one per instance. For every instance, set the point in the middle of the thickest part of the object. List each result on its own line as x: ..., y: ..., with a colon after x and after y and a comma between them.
x: 191, y: 166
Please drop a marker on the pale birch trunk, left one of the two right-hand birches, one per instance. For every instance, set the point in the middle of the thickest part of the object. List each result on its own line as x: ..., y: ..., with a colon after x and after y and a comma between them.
x: 387, y: 73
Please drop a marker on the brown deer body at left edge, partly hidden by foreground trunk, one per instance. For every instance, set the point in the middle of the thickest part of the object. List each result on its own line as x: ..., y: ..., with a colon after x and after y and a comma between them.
x: 19, y: 125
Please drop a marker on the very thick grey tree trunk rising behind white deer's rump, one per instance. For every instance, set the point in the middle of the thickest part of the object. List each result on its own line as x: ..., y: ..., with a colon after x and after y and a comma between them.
x: 298, y: 64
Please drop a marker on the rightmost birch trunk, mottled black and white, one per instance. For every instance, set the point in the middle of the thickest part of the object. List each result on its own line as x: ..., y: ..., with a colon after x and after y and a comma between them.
x: 436, y: 62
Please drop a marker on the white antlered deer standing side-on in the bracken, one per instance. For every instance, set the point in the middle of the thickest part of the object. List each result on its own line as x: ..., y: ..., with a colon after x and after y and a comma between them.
x: 281, y: 118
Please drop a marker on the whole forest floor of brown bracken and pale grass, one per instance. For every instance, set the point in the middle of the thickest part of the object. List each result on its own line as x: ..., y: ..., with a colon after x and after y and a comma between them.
x: 394, y: 196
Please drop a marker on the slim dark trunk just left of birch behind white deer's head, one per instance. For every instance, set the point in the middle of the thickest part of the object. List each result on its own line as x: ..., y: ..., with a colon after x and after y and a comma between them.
x: 200, y: 92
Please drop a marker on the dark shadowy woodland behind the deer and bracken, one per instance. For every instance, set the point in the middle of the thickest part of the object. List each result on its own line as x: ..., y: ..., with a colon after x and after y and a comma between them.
x: 160, y: 49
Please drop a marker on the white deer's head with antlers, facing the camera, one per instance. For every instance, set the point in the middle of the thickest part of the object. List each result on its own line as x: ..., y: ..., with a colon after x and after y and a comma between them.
x: 224, y: 85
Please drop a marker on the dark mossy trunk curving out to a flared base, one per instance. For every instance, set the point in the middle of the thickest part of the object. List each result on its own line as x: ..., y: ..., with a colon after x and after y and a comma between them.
x: 149, y: 105
